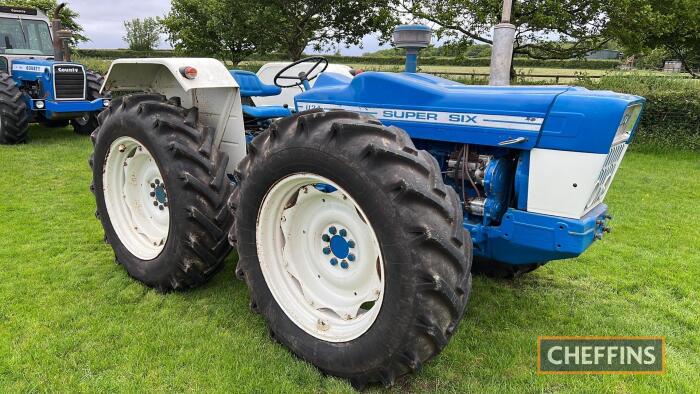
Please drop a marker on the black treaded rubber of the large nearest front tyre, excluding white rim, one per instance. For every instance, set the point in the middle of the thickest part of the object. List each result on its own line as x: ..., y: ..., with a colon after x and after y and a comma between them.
x: 417, y: 221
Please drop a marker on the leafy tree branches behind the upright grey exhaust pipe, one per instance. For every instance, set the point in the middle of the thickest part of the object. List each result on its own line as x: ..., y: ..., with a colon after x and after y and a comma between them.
x: 545, y: 29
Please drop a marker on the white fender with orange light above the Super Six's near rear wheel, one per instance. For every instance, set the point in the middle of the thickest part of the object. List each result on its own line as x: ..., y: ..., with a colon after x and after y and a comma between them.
x: 214, y: 92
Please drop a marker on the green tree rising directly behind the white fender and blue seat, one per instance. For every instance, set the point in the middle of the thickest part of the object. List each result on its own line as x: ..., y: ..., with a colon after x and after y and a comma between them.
x: 226, y: 29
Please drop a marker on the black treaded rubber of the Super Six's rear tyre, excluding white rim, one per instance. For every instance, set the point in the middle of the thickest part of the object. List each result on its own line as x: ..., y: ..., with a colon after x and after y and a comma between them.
x: 194, y: 171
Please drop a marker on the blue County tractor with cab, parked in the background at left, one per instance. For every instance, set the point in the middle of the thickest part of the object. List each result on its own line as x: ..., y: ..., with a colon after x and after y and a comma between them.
x: 38, y: 82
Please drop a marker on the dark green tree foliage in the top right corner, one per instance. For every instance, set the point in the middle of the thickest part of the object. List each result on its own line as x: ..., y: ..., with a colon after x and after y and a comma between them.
x: 669, y: 25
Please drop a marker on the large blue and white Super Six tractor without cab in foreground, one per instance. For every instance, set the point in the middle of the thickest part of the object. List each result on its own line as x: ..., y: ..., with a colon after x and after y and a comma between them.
x: 356, y: 212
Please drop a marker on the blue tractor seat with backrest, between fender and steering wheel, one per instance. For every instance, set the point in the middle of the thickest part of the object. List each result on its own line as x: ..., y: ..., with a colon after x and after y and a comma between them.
x: 251, y: 86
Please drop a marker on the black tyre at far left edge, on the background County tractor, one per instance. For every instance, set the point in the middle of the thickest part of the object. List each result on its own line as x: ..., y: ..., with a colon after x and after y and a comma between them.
x: 14, y: 117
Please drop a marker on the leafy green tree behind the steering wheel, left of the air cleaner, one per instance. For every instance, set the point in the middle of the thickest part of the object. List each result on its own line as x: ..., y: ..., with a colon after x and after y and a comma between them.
x: 296, y: 24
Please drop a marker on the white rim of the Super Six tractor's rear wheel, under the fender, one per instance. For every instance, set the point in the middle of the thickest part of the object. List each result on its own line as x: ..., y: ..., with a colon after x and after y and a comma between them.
x: 136, y: 198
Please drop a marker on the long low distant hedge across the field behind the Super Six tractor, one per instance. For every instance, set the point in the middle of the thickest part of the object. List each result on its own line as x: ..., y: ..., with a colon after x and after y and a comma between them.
x: 383, y: 60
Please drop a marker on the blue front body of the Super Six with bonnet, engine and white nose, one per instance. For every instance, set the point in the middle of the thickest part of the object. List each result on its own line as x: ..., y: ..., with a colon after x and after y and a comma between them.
x: 532, y: 163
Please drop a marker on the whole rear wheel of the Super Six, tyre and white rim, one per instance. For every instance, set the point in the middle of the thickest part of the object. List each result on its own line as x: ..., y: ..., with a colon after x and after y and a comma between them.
x: 161, y: 189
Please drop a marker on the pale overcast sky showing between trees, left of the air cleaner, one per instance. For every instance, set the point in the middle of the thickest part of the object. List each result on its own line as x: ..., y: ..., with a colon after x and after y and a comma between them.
x: 103, y: 21
